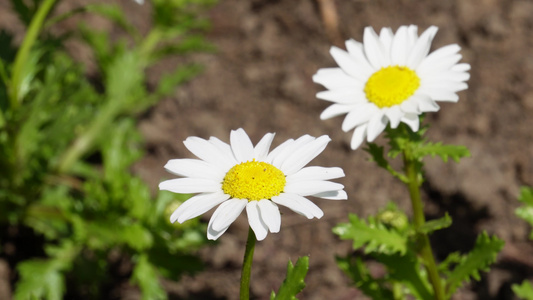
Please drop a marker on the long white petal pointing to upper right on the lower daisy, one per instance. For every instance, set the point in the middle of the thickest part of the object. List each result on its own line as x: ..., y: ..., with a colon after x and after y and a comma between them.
x: 303, y: 155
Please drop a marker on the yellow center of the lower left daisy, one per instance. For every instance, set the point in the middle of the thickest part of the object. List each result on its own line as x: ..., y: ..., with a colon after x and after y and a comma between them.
x: 253, y: 180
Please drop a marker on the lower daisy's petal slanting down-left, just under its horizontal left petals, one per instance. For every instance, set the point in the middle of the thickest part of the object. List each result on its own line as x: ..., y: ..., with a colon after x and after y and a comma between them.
x: 197, y: 205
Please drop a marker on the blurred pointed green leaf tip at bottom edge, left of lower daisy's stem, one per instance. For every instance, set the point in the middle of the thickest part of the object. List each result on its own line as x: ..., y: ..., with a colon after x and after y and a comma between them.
x: 146, y: 276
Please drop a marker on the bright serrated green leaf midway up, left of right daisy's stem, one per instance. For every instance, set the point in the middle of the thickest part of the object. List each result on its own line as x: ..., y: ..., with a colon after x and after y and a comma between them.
x: 374, y: 235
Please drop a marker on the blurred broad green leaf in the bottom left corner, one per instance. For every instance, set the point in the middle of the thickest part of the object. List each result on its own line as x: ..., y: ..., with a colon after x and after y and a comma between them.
x: 40, y: 279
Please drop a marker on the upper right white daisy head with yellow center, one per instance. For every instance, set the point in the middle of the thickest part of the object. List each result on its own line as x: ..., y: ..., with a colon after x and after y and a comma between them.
x: 390, y: 78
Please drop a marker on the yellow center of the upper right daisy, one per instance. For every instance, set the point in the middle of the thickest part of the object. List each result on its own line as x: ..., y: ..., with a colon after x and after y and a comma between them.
x: 391, y: 86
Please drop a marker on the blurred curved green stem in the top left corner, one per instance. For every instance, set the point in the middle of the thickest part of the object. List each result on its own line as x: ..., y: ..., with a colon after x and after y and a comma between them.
x: 24, y: 51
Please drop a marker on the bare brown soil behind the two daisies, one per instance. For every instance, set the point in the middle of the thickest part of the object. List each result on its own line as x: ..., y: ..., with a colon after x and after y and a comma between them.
x: 260, y: 80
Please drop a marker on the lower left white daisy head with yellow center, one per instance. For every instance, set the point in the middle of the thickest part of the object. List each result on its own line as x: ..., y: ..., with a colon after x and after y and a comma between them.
x: 239, y: 176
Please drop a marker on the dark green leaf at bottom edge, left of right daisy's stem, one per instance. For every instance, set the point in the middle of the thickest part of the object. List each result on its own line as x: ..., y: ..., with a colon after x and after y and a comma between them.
x: 363, y: 280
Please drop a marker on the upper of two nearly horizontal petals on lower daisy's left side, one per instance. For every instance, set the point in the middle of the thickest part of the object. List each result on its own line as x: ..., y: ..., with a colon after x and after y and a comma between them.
x: 194, y: 168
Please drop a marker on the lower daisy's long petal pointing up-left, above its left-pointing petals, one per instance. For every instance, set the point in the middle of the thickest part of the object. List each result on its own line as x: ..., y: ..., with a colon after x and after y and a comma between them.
x: 204, y: 150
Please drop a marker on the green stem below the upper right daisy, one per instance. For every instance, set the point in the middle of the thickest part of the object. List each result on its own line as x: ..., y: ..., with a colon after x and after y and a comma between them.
x: 411, y: 171
